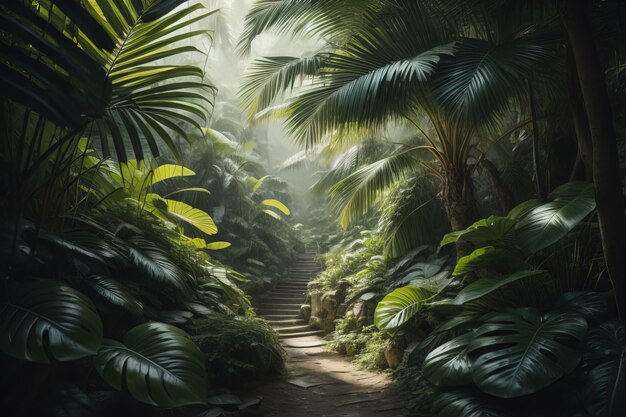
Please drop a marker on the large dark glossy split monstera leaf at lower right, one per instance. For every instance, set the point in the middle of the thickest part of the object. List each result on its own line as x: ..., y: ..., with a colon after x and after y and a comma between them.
x: 520, y: 352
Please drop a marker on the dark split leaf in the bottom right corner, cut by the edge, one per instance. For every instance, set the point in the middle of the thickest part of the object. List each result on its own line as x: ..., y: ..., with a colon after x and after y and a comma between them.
x: 605, y: 357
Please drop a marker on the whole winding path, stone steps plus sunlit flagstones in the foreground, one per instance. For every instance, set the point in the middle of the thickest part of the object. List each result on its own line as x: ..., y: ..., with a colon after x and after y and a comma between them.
x: 317, y: 383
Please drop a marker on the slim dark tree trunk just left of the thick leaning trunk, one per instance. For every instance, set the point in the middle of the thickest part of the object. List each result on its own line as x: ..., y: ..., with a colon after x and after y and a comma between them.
x: 581, y: 124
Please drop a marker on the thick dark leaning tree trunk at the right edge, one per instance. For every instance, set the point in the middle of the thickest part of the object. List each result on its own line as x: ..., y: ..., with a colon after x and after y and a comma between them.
x: 606, y: 175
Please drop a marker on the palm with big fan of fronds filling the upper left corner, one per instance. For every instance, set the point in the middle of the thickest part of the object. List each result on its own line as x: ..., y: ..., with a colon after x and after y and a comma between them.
x: 105, y: 73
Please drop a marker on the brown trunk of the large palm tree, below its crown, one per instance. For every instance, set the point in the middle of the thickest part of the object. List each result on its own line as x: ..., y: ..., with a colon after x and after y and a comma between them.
x: 457, y: 197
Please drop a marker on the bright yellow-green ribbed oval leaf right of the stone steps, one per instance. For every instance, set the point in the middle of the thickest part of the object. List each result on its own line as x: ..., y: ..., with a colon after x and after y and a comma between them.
x: 399, y: 306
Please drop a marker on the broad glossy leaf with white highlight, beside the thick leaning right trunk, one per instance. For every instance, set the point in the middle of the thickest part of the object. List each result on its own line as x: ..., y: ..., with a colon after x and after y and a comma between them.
x: 550, y: 222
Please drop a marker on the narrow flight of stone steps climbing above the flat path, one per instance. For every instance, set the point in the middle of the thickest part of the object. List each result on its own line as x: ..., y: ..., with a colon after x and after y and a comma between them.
x: 281, y: 306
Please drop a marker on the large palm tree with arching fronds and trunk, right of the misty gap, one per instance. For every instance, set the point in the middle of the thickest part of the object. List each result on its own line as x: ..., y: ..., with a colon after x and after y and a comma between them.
x: 405, y: 61
